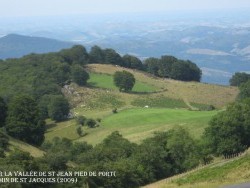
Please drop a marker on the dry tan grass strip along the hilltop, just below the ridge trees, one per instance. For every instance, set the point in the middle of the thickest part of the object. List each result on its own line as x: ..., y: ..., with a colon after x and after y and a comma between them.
x: 193, y: 92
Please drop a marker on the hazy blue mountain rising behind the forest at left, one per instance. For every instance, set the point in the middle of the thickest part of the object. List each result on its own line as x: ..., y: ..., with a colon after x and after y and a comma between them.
x: 14, y: 46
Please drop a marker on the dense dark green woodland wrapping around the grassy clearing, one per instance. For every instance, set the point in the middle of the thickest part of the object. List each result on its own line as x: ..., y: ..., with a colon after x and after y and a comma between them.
x: 30, y: 90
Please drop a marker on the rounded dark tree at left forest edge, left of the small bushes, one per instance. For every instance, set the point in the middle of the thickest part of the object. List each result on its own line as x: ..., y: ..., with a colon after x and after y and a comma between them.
x: 58, y: 108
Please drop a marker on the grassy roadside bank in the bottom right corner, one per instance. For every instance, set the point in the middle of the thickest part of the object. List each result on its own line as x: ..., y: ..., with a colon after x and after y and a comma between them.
x: 216, y: 175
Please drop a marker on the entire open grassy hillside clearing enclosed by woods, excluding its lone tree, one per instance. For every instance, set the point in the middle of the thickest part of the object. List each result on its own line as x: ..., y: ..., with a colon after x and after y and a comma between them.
x: 168, y: 102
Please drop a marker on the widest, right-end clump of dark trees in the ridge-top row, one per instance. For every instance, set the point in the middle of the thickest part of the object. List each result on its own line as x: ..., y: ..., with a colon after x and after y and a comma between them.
x: 171, y: 67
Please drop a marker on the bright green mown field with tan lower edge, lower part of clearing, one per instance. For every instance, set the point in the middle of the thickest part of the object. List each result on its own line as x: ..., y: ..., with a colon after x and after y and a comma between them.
x: 137, y: 124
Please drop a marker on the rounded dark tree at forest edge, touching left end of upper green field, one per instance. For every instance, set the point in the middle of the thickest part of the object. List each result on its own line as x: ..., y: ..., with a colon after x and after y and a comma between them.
x: 79, y: 75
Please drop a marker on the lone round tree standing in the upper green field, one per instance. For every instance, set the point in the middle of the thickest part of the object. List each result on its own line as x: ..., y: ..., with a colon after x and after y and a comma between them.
x: 124, y: 80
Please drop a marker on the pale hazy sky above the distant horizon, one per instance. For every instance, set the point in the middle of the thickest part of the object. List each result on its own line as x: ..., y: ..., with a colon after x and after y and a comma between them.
x: 10, y: 8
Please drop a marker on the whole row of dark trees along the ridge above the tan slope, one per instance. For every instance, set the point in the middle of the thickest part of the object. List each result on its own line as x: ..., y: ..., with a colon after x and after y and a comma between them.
x: 165, y: 67
